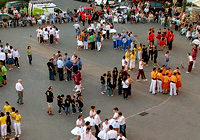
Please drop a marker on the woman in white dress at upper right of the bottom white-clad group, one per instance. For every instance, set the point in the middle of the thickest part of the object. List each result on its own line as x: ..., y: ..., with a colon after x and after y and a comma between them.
x: 113, y: 121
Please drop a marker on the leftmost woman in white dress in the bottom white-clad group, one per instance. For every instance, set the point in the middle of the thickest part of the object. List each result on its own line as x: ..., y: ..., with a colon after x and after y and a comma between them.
x: 78, y: 130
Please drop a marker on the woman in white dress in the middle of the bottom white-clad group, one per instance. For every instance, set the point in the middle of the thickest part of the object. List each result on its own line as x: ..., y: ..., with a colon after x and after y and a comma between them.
x: 104, y: 129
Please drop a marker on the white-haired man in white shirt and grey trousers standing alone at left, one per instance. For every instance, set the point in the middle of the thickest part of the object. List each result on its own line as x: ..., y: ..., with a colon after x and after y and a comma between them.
x: 20, y: 91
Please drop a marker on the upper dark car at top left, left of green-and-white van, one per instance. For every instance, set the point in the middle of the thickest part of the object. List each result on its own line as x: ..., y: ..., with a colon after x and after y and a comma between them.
x: 15, y: 4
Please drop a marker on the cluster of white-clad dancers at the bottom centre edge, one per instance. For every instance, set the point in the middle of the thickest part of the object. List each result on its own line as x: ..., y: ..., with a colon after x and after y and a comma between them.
x: 113, y: 128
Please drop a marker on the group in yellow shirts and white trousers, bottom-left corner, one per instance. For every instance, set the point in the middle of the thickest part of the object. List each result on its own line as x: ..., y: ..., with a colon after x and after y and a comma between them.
x: 10, y: 120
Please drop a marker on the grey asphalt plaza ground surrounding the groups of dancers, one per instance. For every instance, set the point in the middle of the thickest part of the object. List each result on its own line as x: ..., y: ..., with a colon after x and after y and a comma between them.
x: 174, y: 118
